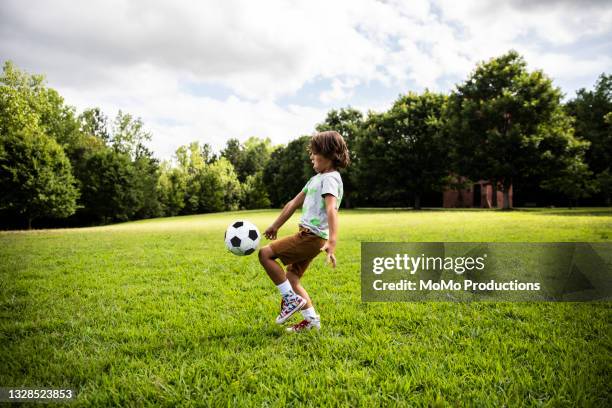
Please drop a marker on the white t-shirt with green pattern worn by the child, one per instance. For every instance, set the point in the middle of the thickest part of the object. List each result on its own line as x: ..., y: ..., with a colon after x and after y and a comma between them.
x: 314, y: 216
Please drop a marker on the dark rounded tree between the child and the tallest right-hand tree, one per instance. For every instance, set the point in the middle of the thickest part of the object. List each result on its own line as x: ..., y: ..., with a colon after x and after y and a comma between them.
x: 403, y: 153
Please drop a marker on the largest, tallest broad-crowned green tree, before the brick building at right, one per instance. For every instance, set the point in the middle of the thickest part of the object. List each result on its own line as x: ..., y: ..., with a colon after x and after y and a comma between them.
x: 506, y: 124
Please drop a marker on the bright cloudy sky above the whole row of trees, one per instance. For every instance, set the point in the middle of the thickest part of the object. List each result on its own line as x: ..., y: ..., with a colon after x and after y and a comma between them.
x: 212, y: 70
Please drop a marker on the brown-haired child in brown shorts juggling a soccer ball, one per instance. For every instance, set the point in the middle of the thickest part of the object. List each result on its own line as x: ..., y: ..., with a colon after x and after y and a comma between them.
x: 318, y: 230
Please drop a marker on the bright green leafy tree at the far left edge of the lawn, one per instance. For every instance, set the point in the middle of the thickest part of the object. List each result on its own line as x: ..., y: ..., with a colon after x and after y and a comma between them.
x: 35, y: 175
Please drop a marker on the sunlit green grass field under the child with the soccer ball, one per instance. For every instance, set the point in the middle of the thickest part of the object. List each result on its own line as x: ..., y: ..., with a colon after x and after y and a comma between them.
x: 157, y: 312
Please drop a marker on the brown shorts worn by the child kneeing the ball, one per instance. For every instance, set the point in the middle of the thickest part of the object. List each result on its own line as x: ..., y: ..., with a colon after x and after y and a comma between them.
x: 297, y: 250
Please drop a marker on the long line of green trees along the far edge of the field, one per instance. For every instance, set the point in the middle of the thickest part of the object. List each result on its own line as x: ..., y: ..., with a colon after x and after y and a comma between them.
x: 504, y: 124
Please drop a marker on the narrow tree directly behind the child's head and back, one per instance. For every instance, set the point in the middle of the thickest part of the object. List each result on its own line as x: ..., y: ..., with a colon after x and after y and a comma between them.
x: 349, y: 123
